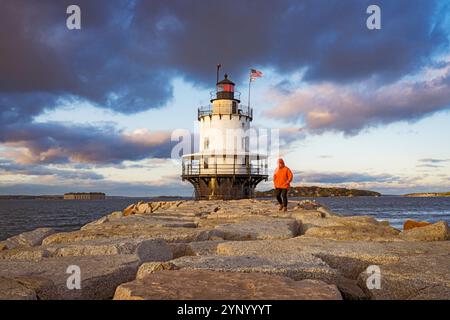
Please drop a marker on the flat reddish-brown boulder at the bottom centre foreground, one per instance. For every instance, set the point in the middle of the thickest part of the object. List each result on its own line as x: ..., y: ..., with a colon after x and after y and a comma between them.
x: 210, y: 285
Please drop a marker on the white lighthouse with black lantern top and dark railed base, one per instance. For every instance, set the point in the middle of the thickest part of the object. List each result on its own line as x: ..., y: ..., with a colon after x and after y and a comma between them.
x: 224, y: 168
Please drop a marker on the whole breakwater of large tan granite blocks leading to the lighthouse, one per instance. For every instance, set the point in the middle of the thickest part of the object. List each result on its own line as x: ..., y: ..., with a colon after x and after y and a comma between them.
x: 243, y: 249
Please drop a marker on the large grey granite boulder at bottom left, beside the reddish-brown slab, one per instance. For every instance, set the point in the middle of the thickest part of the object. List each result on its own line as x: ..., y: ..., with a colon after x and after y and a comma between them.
x: 100, y: 275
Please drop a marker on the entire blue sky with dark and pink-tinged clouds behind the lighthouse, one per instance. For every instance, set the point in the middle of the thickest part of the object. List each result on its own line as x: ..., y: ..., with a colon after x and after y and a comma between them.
x: 94, y: 109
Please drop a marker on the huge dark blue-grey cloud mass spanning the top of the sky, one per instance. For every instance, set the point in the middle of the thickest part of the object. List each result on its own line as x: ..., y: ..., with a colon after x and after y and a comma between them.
x: 126, y: 53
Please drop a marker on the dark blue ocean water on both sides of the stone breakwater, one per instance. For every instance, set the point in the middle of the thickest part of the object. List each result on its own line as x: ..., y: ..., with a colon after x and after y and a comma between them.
x: 18, y: 216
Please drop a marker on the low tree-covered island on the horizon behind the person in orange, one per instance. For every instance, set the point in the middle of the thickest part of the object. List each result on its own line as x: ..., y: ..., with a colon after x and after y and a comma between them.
x: 314, y: 191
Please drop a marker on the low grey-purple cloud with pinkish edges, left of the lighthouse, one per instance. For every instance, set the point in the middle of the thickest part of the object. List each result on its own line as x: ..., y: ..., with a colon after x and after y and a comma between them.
x: 31, y: 143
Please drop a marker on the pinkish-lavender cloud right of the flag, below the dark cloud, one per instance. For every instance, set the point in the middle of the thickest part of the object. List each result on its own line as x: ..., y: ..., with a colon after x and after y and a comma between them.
x: 351, y: 108
